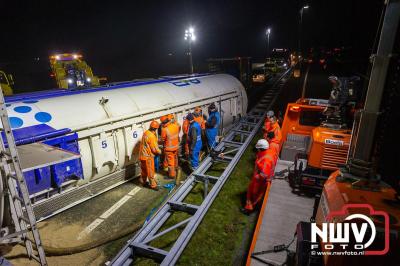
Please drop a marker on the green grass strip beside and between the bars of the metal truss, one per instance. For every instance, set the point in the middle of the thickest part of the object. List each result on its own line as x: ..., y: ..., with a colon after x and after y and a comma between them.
x: 224, y: 235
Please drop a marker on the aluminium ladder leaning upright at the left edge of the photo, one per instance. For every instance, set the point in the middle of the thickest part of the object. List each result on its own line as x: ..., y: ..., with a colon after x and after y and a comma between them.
x: 14, y: 184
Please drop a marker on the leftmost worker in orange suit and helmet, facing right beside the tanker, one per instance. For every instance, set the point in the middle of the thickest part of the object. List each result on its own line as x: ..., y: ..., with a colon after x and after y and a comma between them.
x: 149, y: 149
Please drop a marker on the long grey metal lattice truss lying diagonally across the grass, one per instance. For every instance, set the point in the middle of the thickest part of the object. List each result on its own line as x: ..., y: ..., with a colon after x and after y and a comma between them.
x: 234, y: 144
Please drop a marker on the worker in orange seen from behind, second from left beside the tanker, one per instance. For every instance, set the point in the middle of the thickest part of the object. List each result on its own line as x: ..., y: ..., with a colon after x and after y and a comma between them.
x: 170, y: 141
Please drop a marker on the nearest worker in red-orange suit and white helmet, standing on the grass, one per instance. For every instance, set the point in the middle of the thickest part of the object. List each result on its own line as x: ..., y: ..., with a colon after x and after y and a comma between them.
x: 262, y: 176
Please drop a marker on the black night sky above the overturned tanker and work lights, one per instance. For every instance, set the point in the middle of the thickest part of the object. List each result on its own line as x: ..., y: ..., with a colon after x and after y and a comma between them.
x: 123, y: 40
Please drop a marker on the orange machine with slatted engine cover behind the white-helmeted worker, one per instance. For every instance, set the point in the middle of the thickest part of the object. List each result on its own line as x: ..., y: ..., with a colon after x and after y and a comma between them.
x: 316, y: 139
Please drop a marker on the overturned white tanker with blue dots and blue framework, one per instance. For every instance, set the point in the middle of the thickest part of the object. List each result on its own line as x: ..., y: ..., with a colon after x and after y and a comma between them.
x: 104, y: 126
